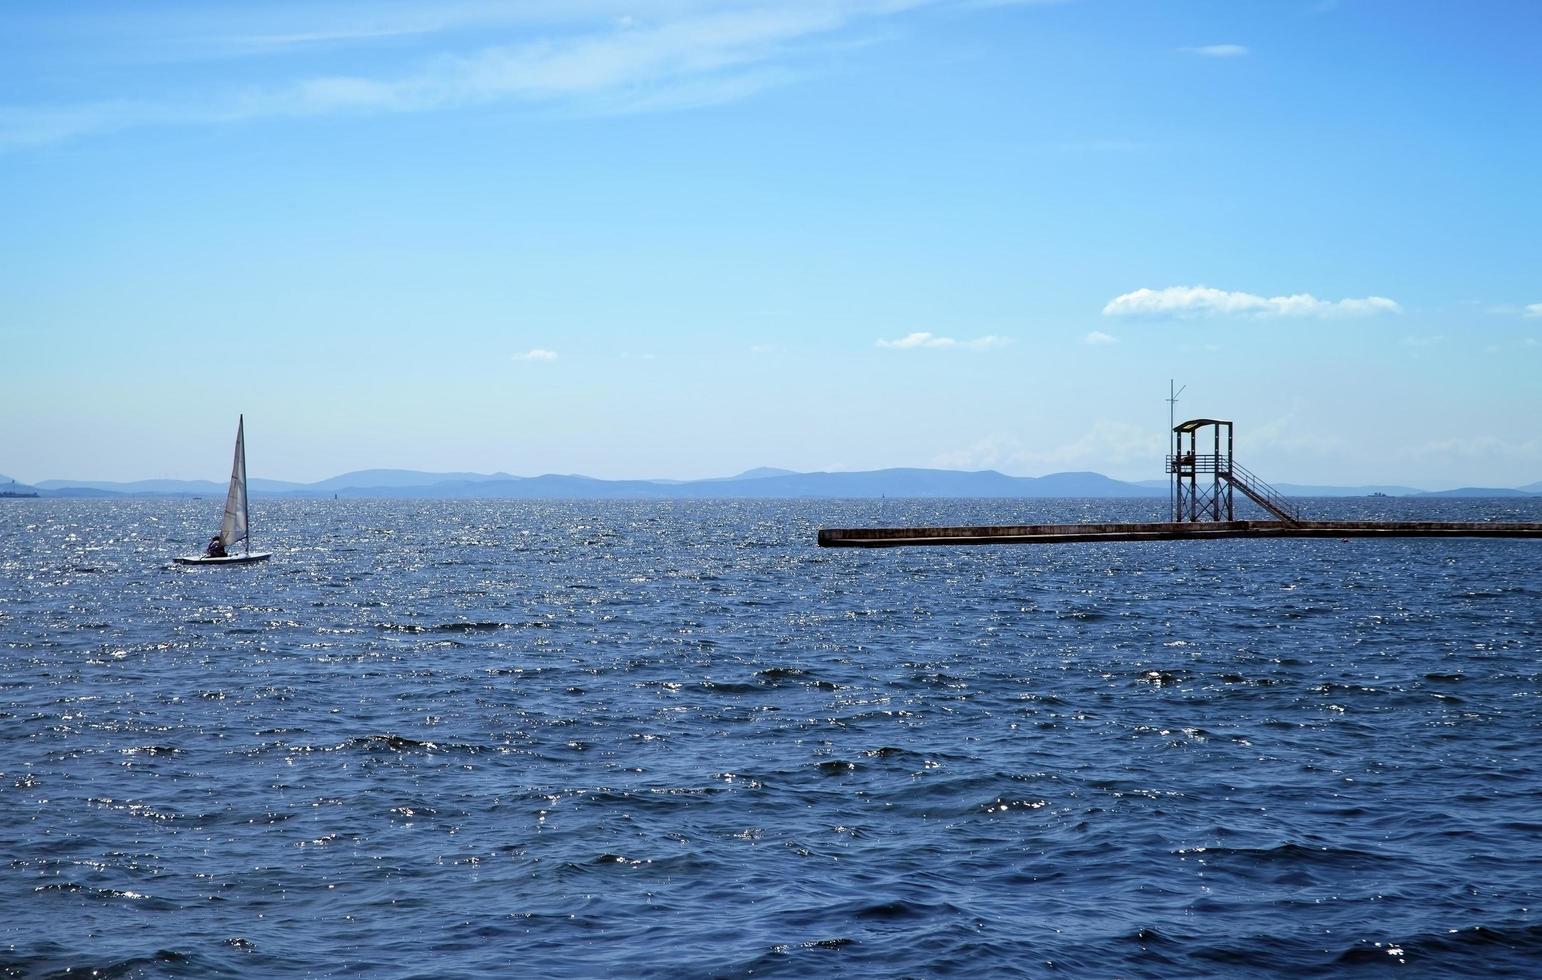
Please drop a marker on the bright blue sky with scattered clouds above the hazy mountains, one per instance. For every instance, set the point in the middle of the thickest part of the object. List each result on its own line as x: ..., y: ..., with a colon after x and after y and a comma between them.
x: 676, y: 238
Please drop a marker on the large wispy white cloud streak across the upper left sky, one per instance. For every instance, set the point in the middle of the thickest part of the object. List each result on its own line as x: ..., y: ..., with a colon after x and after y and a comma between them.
x: 591, y: 56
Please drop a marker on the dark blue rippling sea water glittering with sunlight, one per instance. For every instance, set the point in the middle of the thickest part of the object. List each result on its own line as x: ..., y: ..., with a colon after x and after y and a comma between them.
x: 653, y: 739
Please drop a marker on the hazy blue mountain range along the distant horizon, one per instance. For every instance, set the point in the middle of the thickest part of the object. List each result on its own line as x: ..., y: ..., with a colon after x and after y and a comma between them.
x: 759, y: 483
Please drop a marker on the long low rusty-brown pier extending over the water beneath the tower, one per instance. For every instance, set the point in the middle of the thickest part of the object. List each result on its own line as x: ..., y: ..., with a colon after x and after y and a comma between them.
x: 1059, y: 534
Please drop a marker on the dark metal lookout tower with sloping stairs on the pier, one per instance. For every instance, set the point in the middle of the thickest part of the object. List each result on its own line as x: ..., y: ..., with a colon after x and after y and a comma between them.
x: 1205, y: 474
